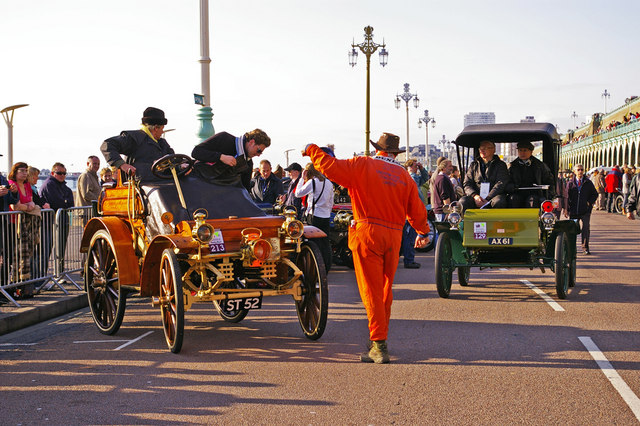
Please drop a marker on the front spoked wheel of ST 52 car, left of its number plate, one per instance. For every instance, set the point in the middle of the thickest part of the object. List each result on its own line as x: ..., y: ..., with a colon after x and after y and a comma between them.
x: 171, y: 300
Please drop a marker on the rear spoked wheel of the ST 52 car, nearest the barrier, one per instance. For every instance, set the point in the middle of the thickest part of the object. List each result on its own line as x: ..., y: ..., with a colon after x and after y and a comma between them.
x: 107, y: 300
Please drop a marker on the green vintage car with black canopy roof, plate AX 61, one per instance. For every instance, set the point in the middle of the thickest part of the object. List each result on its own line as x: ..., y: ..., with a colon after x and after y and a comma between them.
x: 508, y: 237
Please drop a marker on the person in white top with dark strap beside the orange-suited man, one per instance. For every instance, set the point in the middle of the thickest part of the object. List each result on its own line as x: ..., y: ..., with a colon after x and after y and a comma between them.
x: 319, y: 192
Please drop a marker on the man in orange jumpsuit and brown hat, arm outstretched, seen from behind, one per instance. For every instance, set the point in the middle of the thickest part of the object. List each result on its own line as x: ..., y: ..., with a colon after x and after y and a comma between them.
x: 383, y: 195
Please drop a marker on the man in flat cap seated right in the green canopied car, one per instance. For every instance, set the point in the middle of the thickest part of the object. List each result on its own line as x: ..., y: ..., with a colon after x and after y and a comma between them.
x: 527, y: 171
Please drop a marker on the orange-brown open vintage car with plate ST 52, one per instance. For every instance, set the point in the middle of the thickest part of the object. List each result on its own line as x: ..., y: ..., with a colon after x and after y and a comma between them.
x: 186, y: 240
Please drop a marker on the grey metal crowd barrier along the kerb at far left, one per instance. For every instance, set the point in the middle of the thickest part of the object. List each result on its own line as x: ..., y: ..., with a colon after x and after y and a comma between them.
x: 39, y: 252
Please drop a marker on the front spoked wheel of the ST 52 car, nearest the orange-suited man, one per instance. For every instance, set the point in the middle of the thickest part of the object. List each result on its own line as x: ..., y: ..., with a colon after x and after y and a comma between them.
x: 314, y: 306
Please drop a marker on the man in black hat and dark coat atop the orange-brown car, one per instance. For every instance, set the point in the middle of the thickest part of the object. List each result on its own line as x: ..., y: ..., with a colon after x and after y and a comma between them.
x: 140, y: 147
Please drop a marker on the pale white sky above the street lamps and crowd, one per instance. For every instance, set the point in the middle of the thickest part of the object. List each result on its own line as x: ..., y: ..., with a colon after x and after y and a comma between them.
x: 88, y: 69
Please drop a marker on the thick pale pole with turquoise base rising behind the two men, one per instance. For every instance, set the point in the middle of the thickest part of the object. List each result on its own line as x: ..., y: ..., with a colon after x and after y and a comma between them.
x: 204, y: 114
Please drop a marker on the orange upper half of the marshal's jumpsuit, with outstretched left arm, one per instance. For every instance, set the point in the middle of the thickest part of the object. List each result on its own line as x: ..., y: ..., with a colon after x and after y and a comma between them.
x: 382, y: 192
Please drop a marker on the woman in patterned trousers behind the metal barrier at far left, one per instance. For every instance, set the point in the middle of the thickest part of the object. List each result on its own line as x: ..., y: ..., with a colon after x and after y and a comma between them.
x: 29, y: 225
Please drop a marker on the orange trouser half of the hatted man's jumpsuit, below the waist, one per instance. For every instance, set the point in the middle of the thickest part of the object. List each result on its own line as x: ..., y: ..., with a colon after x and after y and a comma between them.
x: 375, y: 252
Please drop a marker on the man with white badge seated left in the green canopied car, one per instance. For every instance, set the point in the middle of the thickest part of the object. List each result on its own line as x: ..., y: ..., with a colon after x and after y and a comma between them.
x: 486, y: 180
